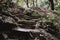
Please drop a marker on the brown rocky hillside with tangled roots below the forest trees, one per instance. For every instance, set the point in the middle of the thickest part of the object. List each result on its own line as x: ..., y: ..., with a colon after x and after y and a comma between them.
x: 29, y: 24
